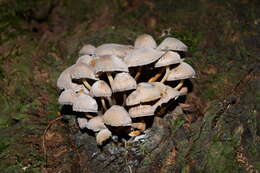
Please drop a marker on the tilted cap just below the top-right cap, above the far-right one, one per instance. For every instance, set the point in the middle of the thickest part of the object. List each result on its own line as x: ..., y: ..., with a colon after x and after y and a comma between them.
x: 168, y: 58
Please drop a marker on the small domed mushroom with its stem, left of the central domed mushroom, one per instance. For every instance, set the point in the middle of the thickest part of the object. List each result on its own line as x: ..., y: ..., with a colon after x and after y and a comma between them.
x: 101, y: 89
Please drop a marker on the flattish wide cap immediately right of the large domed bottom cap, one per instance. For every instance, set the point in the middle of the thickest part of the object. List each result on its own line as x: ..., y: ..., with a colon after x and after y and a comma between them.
x: 141, y: 111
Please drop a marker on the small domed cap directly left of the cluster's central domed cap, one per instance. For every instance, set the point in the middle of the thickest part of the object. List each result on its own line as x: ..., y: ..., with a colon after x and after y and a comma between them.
x: 100, y: 89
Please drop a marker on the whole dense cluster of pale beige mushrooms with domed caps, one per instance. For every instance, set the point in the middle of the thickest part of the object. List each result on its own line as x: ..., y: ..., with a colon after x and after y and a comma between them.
x: 118, y: 86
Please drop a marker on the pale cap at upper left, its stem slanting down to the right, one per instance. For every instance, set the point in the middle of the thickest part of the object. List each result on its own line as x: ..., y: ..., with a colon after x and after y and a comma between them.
x: 80, y: 71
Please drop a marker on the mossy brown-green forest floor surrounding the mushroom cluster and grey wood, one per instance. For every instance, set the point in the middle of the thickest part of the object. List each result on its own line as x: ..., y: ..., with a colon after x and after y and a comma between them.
x: 39, y: 39
